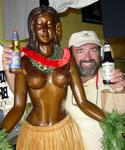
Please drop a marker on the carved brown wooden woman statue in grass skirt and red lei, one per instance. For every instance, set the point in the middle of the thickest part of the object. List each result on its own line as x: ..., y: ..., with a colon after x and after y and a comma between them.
x: 47, y: 71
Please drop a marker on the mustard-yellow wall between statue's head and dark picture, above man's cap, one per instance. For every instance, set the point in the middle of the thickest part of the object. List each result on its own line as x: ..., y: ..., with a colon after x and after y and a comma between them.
x: 72, y: 22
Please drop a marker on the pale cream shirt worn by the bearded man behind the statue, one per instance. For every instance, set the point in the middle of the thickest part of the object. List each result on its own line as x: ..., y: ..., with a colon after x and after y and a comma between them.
x: 90, y: 128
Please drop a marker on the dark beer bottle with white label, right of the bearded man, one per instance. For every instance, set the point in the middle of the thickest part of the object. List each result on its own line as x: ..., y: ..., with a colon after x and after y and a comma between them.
x: 108, y: 64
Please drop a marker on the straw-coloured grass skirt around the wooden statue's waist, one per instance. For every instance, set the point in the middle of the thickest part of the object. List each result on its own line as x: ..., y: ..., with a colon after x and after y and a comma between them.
x: 64, y: 135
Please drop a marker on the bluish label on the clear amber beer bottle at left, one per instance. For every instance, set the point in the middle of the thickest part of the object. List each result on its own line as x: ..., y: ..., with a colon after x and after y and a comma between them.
x: 15, y: 64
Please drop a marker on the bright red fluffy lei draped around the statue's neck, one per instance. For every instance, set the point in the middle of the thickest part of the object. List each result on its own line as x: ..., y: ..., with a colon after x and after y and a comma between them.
x: 45, y: 61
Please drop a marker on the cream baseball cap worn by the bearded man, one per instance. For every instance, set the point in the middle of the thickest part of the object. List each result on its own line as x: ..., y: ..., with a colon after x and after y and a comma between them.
x: 84, y: 37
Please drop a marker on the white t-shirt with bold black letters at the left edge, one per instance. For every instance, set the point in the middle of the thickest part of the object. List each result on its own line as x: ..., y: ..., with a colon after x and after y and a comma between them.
x: 6, y: 96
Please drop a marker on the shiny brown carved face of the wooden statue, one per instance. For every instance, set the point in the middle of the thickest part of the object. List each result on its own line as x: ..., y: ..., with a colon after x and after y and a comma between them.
x: 45, y: 28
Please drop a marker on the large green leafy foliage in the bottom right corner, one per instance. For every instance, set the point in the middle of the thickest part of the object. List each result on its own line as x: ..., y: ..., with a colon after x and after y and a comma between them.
x: 113, y: 126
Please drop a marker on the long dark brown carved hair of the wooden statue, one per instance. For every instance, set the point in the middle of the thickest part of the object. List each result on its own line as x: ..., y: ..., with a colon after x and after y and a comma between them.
x: 32, y: 42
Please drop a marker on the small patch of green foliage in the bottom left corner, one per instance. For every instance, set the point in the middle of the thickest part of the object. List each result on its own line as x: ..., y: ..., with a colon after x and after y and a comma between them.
x: 4, y: 144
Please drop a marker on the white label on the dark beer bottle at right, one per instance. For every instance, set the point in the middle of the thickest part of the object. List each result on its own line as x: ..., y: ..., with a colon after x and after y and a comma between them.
x: 107, y: 69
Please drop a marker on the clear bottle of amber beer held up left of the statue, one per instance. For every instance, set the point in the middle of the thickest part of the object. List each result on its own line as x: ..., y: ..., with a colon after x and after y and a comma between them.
x: 15, y: 67
